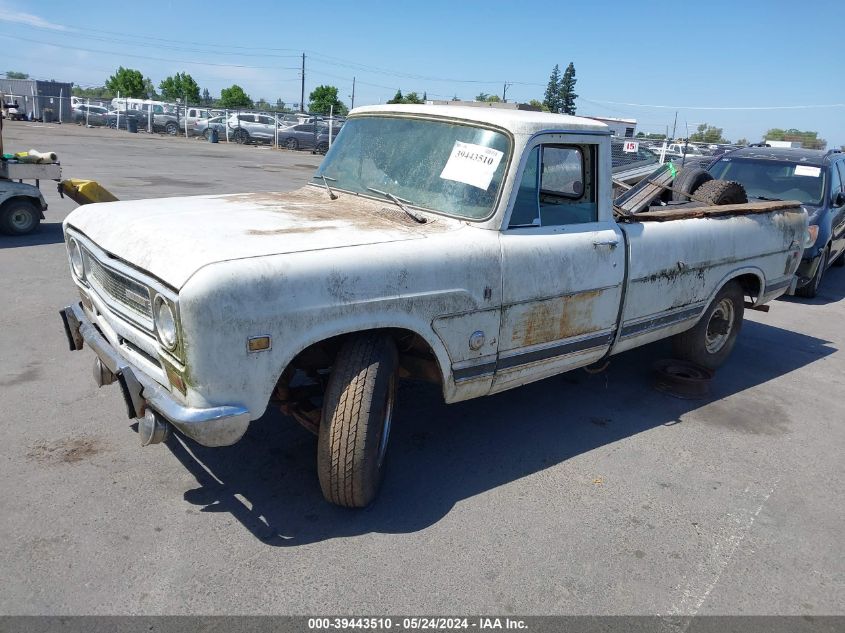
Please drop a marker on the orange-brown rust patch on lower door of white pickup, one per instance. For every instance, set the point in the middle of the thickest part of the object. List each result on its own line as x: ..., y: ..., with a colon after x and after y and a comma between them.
x: 555, y: 319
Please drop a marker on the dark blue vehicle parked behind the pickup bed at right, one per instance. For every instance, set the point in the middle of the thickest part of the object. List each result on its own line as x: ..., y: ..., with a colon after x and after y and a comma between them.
x: 812, y: 177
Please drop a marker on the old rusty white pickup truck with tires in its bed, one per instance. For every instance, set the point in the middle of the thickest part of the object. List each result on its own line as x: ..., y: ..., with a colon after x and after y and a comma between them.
x: 477, y: 248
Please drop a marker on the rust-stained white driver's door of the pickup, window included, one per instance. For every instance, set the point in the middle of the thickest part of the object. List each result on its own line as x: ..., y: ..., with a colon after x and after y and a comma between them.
x: 563, y: 262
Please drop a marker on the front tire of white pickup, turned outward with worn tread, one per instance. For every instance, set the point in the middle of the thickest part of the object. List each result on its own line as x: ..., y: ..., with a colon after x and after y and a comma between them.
x: 356, y: 418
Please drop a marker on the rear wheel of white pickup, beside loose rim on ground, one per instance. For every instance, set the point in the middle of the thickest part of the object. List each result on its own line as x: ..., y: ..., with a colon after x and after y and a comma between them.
x: 711, y: 340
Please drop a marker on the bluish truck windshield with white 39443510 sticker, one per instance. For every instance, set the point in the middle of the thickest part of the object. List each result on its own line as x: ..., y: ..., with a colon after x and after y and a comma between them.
x: 441, y: 166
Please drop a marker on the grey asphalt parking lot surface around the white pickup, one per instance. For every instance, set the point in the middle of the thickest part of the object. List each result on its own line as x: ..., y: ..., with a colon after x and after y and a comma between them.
x: 580, y: 494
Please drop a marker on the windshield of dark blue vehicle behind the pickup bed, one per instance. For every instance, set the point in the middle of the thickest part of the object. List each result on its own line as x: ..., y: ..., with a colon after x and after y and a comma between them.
x: 773, y: 179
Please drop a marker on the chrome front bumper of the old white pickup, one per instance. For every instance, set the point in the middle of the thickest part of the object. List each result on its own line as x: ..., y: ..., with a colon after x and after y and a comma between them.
x: 212, y: 426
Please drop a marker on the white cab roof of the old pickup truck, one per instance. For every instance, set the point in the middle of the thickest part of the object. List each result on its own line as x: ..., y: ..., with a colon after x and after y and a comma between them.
x: 516, y: 121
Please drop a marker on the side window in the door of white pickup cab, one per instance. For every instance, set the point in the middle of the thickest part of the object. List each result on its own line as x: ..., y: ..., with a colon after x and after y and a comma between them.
x: 558, y: 187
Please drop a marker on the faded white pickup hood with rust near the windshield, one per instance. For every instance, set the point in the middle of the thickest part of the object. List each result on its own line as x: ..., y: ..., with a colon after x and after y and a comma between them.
x: 172, y: 238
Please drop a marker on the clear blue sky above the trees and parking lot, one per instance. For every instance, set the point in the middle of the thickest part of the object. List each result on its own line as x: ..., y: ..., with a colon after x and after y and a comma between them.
x: 707, y: 60
